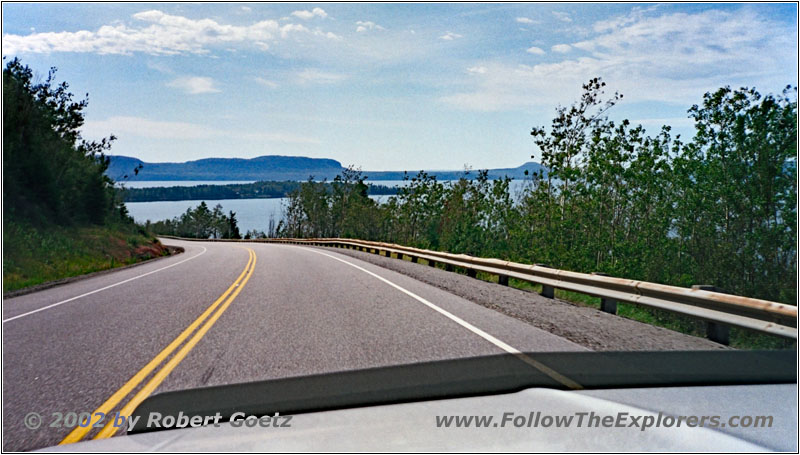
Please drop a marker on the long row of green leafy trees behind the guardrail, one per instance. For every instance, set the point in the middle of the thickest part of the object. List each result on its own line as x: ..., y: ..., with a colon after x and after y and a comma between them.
x: 720, y: 209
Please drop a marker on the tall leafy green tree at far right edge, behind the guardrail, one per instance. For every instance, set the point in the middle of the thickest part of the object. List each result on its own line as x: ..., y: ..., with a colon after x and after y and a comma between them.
x: 738, y: 201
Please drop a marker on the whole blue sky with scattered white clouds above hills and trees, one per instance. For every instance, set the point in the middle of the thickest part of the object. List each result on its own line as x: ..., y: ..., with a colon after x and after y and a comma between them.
x: 388, y: 86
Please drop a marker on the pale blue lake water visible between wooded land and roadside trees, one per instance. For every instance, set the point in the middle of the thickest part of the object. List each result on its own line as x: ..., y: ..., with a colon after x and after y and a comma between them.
x: 250, y: 213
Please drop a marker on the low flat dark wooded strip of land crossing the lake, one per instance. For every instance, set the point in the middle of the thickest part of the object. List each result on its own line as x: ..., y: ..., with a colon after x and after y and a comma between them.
x: 255, y: 190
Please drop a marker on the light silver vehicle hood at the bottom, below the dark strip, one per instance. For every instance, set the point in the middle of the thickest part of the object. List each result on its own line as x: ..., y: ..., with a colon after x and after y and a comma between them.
x: 413, y: 426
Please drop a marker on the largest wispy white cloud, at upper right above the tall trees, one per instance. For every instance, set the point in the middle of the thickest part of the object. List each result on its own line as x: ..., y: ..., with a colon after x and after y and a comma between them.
x: 672, y: 58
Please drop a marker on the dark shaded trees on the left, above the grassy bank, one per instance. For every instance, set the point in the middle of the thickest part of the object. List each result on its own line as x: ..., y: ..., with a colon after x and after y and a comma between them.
x: 50, y: 174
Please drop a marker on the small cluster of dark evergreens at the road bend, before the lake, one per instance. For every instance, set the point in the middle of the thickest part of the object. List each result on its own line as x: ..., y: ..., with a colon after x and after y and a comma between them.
x: 200, y: 222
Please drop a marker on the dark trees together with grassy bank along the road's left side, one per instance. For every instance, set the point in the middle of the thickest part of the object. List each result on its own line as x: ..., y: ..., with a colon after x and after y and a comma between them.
x: 61, y: 215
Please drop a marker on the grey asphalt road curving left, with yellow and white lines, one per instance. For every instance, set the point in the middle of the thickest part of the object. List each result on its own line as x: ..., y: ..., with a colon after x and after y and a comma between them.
x: 223, y: 313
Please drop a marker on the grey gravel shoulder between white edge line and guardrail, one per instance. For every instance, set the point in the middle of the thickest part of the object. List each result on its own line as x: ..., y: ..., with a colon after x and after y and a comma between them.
x: 586, y: 326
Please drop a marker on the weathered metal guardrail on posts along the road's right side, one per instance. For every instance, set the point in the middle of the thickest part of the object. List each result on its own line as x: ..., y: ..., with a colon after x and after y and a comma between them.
x: 718, y: 309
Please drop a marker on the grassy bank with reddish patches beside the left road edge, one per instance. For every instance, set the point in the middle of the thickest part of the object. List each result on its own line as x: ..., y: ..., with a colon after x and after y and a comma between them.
x: 34, y: 255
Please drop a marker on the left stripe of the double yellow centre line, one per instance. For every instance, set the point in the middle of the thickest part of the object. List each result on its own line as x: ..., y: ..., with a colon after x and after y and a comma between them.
x: 80, y: 431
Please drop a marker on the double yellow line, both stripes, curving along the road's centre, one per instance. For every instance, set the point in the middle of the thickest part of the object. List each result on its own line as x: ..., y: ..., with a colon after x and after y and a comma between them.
x: 111, y: 403
